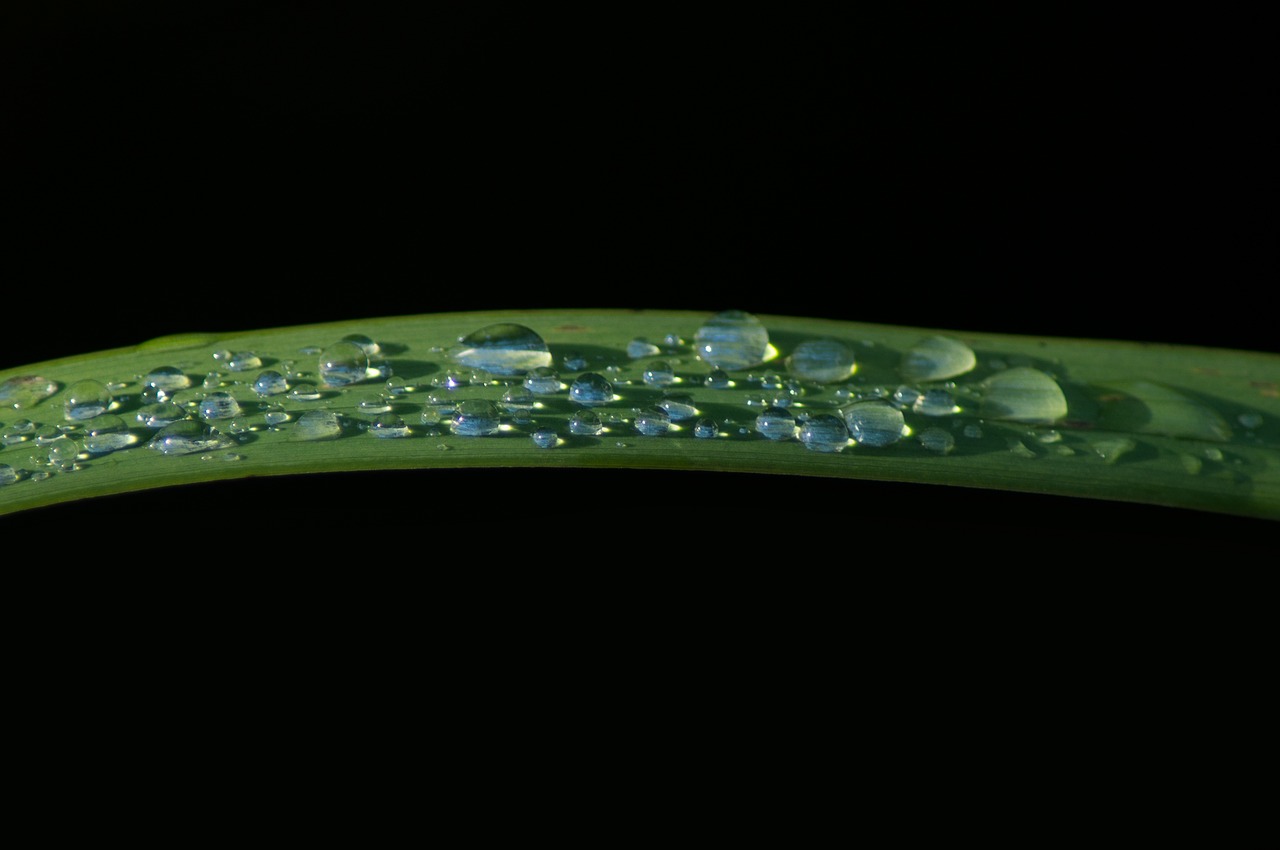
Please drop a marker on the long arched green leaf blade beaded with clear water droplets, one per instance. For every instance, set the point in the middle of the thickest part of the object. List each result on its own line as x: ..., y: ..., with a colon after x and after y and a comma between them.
x: 1164, y: 426
